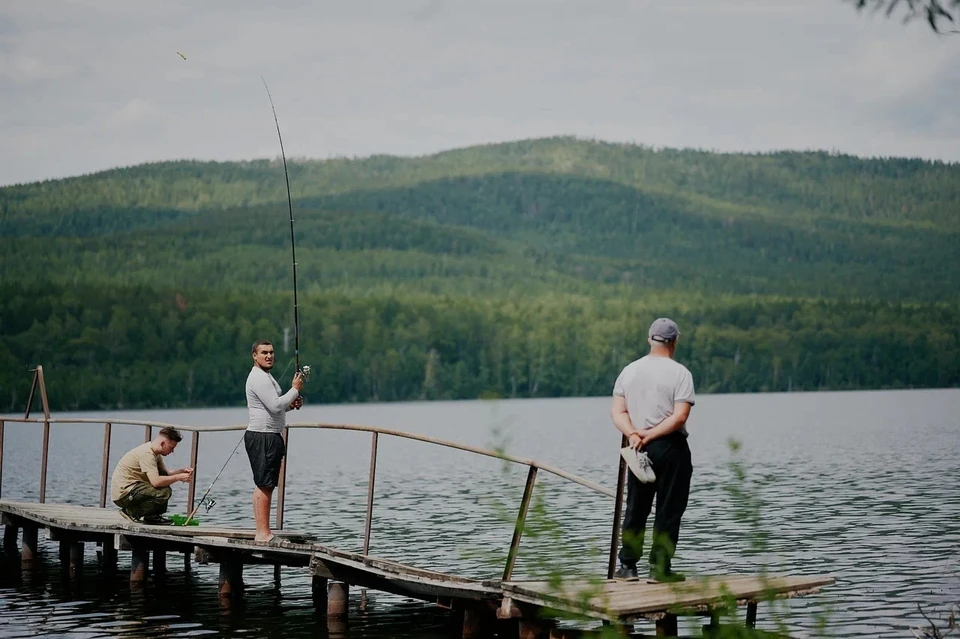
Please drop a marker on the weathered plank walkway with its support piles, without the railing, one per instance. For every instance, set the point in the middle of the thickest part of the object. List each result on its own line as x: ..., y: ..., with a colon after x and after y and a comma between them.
x: 333, y: 571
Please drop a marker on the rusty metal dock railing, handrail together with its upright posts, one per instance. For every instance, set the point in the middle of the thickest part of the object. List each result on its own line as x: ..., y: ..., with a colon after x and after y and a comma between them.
x: 533, y: 466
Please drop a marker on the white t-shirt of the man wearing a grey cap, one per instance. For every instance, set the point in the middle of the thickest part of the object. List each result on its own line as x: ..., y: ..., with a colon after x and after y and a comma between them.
x: 651, y: 386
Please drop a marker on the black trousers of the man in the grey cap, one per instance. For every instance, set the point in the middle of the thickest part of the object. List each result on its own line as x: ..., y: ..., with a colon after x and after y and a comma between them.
x: 671, y: 463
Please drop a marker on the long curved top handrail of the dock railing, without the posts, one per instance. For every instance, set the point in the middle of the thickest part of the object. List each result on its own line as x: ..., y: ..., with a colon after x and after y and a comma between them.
x: 325, y: 426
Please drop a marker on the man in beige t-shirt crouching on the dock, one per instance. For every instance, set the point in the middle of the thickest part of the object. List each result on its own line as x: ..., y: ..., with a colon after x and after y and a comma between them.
x: 141, y: 483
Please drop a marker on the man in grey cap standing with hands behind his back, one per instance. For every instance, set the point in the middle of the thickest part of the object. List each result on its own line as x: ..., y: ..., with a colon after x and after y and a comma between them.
x: 652, y: 398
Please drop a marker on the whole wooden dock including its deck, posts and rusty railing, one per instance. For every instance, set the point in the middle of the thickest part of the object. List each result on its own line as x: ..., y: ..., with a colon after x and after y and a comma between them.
x: 502, y: 606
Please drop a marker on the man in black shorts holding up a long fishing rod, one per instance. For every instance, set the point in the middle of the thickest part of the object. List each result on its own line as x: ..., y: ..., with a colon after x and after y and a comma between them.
x: 263, y: 439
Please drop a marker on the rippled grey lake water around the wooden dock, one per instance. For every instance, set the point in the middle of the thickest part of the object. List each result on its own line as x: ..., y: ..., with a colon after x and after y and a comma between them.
x: 864, y: 486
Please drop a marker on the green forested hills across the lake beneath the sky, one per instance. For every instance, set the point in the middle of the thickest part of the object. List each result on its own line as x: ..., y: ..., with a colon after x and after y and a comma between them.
x: 465, y: 268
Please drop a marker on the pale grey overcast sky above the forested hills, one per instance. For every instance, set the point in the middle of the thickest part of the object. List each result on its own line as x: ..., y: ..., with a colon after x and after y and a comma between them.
x: 87, y: 85
